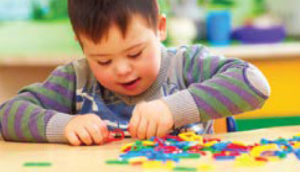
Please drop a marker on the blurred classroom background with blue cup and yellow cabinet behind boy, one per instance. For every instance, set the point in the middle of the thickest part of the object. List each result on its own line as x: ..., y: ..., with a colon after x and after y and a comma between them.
x: 36, y: 36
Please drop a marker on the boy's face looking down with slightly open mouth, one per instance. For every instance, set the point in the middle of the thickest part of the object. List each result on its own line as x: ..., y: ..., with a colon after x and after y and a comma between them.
x: 127, y: 65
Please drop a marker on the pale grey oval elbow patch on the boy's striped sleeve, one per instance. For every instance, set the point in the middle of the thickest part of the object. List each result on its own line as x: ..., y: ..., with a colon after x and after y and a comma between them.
x: 258, y: 82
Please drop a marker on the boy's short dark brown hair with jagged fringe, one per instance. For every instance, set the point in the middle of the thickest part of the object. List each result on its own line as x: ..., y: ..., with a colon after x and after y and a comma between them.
x: 93, y: 18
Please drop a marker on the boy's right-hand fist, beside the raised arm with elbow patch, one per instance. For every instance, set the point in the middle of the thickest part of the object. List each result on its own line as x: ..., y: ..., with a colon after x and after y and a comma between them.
x: 151, y: 119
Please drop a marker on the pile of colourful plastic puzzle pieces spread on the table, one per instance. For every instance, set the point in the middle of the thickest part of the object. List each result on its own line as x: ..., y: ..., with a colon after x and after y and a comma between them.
x: 166, y: 152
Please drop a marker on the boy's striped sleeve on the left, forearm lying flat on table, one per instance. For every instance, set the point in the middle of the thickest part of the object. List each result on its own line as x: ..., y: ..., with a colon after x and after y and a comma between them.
x: 40, y: 112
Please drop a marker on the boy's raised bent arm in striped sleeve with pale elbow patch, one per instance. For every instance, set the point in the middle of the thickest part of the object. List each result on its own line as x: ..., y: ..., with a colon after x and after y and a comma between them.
x: 216, y: 87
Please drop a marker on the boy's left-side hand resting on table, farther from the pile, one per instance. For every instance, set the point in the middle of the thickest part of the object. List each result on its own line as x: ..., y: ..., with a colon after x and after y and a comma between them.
x: 86, y: 129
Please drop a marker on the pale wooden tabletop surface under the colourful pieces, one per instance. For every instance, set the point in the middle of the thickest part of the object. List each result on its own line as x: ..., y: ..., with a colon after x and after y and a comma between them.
x: 92, y: 158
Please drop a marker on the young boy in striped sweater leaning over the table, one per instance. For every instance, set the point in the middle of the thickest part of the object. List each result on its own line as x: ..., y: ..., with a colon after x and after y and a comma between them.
x: 128, y: 80
